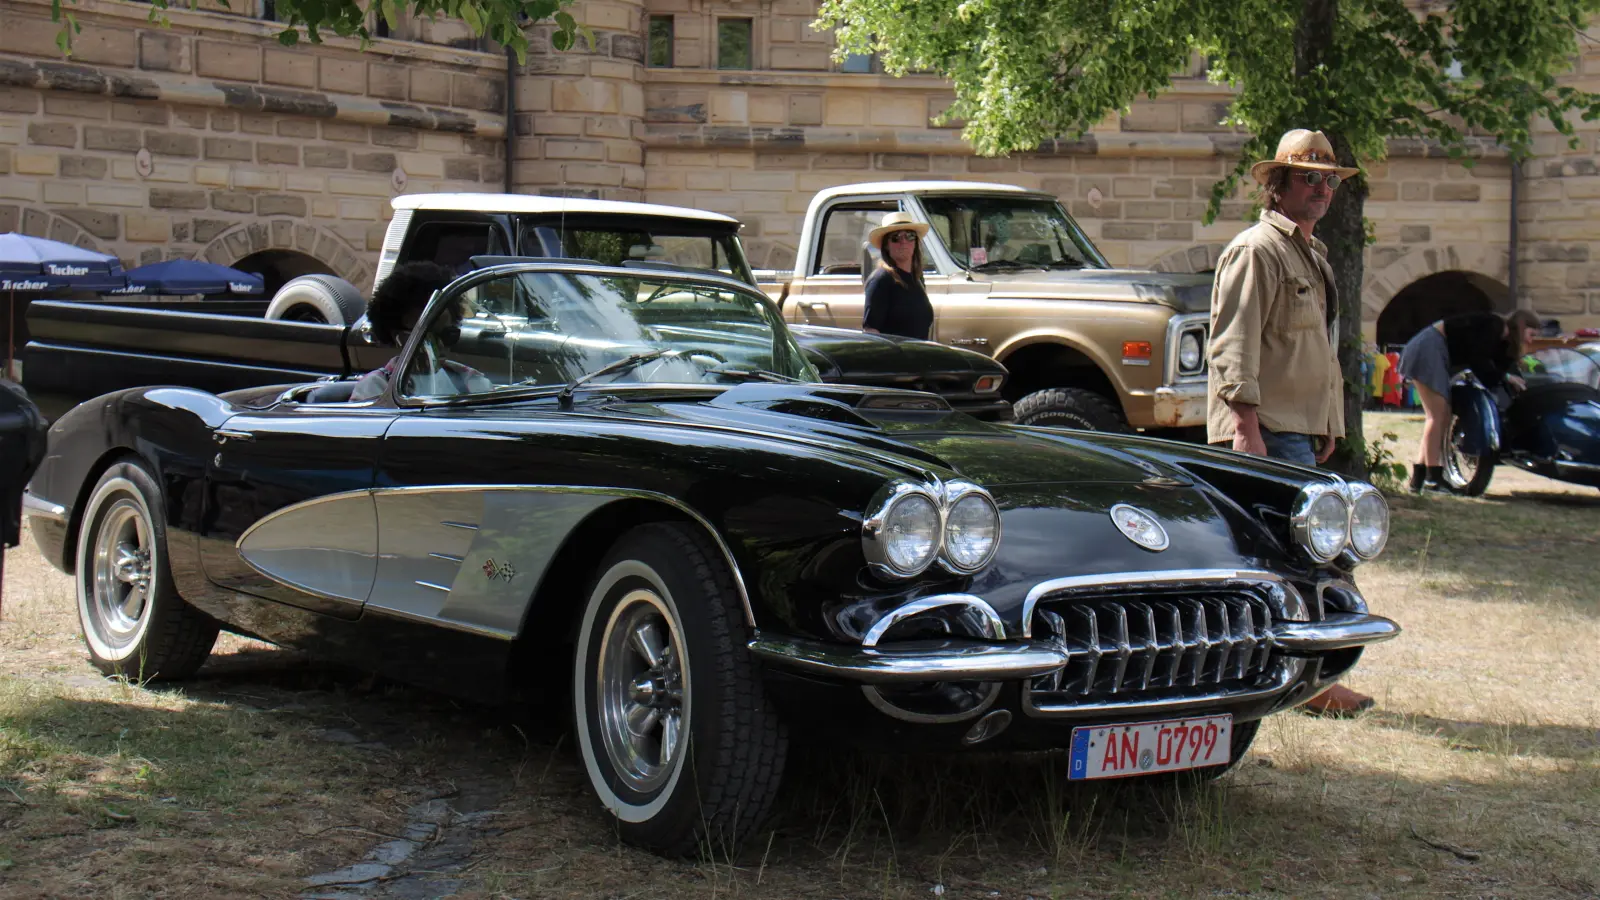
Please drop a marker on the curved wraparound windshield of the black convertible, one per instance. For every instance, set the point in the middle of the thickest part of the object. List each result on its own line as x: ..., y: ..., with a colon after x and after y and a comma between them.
x: 553, y: 329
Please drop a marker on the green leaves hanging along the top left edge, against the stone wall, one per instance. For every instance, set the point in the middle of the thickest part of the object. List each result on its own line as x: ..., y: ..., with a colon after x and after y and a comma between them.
x: 500, y: 20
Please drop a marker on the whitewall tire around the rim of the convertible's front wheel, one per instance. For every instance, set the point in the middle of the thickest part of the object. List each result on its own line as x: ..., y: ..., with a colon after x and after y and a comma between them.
x: 721, y: 785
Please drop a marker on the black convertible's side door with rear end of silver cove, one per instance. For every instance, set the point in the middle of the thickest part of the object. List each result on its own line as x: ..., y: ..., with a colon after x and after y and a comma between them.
x: 289, y: 512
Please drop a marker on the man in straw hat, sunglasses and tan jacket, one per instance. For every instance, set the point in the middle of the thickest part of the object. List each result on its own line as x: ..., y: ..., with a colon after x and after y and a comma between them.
x: 1274, y: 385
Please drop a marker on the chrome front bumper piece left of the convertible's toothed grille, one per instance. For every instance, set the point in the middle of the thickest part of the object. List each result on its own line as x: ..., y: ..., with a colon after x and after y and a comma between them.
x: 913, y: 661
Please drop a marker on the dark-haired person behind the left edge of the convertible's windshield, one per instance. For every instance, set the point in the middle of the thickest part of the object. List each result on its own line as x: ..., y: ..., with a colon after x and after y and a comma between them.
x: 394, y: 313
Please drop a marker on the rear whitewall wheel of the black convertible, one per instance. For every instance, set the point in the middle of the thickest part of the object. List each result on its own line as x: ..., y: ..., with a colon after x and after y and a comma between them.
x: 135, y: 625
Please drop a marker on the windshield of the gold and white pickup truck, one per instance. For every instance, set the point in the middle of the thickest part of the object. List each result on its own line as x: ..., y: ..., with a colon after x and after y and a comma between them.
x: 994, y: 235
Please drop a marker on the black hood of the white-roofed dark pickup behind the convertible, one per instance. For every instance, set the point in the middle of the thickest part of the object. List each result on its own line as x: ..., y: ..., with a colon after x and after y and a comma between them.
x: 886, y: 360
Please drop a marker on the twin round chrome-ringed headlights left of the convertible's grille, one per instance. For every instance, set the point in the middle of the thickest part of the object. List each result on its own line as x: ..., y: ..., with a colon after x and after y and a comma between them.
x: 913, y: 526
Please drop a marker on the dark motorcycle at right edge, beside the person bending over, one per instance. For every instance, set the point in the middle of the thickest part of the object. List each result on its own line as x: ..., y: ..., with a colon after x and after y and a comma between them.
x: 1551, y: 428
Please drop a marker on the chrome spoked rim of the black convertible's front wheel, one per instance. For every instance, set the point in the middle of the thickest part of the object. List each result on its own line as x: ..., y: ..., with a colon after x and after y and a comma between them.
x: 641, y: 691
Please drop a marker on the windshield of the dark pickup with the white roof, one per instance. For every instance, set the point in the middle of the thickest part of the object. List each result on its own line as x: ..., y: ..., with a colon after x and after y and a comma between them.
x: 636, y: 239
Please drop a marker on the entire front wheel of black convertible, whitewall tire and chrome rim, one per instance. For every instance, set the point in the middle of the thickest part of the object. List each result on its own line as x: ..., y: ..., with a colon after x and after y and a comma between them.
x: 673, y: 723
